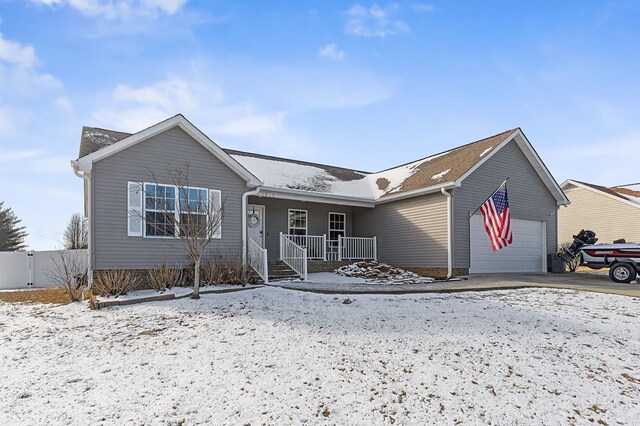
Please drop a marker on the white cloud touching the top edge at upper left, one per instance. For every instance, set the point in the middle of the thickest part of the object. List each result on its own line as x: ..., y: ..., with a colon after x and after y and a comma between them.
x: 118, y: 9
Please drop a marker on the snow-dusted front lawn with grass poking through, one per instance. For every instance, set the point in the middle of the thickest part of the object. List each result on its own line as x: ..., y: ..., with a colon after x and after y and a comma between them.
x: 272, y: 356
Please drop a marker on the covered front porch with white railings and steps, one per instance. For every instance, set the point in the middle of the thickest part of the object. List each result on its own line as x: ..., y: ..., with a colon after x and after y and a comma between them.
x: 293, y: 233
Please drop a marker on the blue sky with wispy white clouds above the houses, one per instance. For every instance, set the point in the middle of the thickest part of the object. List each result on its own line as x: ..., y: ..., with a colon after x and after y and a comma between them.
x: 357, y: 84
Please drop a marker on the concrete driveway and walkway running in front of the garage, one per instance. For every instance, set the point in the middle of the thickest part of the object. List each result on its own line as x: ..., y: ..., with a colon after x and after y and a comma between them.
x: 575, y: 281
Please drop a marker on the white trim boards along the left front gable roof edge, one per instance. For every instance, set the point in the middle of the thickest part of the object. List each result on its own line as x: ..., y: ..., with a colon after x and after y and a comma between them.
x: 86, y: 163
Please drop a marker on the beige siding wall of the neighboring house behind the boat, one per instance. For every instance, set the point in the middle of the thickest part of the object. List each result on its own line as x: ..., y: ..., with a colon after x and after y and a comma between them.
x: 610, y: 219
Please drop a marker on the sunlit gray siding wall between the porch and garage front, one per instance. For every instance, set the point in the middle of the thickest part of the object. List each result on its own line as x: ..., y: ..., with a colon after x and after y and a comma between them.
x: 411, y: 232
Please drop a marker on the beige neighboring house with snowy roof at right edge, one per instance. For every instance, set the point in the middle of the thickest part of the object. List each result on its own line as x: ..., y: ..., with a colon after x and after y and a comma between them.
x: 612, y: 213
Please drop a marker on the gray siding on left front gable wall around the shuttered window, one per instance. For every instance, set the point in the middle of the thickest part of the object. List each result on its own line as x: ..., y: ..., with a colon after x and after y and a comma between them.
x: 160, y: 156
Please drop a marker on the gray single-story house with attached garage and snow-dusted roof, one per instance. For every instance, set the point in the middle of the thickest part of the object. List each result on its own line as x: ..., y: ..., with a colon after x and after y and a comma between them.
x: 414, y: 216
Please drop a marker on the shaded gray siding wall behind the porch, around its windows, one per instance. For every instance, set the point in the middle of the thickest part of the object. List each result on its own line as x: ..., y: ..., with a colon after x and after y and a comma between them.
x: 276, y: 219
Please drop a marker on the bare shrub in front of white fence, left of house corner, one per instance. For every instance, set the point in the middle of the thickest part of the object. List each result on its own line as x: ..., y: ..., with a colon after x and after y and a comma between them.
x: 69, y: 272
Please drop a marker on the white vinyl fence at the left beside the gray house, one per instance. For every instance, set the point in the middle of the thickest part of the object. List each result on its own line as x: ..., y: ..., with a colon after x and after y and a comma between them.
x: 28, y: 269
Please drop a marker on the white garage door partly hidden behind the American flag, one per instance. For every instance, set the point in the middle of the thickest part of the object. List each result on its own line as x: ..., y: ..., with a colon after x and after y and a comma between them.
x: 527, y: 253
